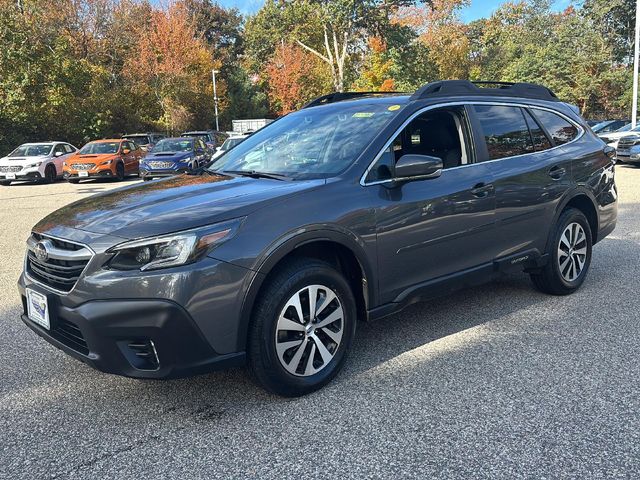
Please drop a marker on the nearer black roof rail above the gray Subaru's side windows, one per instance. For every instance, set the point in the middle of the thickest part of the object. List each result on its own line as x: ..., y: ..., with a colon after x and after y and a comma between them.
x: 466, y: 87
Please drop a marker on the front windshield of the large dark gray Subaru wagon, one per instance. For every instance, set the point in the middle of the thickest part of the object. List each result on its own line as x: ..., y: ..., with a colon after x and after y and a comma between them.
x: 318, y: 142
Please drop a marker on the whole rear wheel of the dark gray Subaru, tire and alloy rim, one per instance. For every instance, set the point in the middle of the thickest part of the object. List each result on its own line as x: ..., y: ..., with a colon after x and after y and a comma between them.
x: 569, y: 255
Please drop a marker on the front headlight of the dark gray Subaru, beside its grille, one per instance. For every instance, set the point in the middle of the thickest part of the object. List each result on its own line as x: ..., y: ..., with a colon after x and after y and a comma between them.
x: 171, y: 250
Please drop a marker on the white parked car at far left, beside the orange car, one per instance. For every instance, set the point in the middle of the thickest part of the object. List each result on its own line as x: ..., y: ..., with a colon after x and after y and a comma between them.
x: 35, y: 162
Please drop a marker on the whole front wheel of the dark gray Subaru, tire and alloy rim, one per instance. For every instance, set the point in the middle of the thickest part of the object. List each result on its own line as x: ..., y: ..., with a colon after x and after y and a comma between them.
x: 302, y: 328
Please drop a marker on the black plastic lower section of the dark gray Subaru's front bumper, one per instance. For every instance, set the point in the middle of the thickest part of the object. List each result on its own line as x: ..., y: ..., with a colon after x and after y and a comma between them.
x: 108, y: 336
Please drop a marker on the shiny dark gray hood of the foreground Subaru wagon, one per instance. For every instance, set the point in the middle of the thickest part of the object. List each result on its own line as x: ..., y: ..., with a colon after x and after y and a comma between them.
x: 171, y: 205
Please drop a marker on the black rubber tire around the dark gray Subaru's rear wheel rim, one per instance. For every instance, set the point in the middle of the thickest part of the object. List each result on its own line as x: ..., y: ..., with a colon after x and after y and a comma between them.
x: 550, y: 279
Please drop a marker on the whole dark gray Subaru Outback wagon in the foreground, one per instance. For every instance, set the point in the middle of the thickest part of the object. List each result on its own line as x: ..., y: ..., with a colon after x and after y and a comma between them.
x: 349, y: 209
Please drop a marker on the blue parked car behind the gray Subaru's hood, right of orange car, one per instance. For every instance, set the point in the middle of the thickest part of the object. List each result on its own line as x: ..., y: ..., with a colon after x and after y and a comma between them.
x: 173, y: 156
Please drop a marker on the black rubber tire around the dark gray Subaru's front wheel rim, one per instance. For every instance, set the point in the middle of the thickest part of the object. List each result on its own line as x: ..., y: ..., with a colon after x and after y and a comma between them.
x: 264, y: 364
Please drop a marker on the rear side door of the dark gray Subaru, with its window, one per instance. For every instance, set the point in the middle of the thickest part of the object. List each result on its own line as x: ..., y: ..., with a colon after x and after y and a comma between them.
x: 531, y: 173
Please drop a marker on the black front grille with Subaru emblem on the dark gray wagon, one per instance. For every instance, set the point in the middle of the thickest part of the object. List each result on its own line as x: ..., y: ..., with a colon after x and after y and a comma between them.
x: 62, y: 269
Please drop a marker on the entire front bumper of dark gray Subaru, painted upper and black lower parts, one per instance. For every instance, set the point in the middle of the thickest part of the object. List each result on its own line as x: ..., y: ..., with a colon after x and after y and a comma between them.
x: 191, y: 314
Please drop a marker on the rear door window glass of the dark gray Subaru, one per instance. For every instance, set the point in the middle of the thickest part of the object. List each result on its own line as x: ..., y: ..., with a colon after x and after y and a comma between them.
x: 505, y: 130
